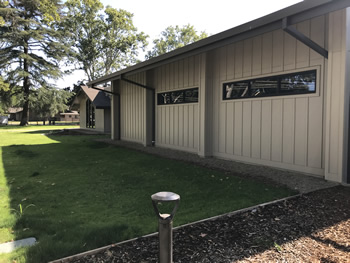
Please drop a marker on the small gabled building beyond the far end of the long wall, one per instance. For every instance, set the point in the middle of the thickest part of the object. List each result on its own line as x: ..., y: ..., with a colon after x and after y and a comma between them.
x: 94, y: 107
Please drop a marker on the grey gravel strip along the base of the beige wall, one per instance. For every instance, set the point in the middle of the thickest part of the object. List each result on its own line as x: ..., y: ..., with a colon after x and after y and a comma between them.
x: 303, y: 183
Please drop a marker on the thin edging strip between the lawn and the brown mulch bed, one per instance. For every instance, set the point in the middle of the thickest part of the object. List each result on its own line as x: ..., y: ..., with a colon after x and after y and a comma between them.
x: 97, y: 250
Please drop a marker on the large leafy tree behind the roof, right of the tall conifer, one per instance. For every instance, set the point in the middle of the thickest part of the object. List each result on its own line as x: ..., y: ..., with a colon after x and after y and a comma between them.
x: 102, y: 42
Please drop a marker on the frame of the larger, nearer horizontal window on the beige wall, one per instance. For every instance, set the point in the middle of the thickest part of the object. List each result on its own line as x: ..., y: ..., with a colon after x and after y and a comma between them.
x: 278, y: 93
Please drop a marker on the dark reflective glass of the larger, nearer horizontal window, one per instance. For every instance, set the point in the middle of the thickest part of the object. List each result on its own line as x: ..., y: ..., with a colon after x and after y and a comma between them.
x: 287, y: 84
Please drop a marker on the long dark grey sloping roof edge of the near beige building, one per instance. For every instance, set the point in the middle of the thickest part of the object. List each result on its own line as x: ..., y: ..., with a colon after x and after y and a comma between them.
x: 294, y: 14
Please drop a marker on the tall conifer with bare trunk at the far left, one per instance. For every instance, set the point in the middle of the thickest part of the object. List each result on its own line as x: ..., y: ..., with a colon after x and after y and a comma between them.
x: 30, y: 48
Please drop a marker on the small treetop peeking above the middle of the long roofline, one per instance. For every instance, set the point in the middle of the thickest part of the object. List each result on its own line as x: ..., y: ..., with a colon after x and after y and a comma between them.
x: 173, y: 38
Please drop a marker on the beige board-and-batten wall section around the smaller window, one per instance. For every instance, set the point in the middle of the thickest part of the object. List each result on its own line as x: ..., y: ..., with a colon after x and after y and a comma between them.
x: 177, y: 125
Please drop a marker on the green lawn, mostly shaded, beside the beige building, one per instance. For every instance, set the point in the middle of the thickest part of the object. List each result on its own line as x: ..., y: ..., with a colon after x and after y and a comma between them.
x: 83, y: 194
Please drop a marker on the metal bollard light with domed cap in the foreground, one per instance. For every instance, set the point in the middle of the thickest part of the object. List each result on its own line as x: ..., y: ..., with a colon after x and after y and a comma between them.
x: 165, y: 224
